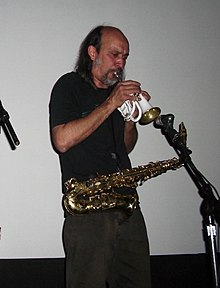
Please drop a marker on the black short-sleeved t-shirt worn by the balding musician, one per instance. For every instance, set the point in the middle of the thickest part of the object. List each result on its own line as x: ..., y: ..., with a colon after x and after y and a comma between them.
x: 73, y: 98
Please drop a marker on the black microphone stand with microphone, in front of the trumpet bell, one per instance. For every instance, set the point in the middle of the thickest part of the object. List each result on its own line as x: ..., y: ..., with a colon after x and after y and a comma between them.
x: 210, y: 207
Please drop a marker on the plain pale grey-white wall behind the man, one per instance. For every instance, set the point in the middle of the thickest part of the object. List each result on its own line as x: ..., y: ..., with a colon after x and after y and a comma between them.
x: 174, y: 54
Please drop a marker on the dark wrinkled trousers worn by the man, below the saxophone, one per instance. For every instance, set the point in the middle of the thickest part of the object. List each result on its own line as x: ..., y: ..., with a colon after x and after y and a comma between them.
x: 106, y: 250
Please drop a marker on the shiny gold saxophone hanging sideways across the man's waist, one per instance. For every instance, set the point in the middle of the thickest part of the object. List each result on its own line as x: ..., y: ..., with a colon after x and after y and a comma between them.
x: 97, y: 193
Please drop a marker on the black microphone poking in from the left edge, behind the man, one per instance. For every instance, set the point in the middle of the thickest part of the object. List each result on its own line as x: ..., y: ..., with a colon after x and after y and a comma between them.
x: 7, y: 128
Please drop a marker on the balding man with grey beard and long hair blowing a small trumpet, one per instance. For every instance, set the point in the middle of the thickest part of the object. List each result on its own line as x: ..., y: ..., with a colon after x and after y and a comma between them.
x: 105, y: 248
